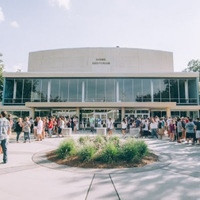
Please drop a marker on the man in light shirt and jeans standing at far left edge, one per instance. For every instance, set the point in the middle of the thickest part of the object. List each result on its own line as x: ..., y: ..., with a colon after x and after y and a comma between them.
x: 5, y: 130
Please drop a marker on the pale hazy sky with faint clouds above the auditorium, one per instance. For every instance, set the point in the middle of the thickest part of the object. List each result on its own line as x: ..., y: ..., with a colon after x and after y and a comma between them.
x: 34, y: 25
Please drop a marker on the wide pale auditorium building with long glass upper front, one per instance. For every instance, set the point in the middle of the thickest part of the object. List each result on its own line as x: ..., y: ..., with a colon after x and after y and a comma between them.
x: 101, y: 82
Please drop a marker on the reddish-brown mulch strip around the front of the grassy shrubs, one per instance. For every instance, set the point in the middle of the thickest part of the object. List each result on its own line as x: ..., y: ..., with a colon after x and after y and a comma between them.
x: 75, y: 161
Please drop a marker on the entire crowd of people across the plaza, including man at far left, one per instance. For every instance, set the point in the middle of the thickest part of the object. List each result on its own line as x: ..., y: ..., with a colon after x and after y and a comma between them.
x: 179, y: 129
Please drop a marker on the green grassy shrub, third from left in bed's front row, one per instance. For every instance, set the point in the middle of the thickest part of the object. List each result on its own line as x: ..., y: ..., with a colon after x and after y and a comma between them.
x: 109, y: 153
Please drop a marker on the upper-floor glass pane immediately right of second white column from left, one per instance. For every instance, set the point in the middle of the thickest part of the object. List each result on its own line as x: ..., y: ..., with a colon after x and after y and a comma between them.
x: 55, y: 88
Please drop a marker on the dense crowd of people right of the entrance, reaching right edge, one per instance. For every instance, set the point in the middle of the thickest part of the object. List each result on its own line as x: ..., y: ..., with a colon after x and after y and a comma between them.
x: 179, y: 129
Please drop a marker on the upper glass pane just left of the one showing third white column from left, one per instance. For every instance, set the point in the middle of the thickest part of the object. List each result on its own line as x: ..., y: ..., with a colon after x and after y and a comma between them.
x: 73, y: 90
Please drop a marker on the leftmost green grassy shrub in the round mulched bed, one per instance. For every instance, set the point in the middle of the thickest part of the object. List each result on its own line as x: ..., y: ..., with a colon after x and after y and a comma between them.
x: 66, y: 148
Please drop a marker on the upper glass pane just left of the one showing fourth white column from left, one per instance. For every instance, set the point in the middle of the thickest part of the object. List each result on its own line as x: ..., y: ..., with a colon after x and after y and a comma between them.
x: 110, y: 90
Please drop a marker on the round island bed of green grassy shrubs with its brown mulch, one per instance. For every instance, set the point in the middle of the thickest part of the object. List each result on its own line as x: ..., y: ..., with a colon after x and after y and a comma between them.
x: 102, y: 152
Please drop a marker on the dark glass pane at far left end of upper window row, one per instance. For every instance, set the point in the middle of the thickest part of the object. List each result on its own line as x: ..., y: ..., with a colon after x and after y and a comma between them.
x: 9, y: 88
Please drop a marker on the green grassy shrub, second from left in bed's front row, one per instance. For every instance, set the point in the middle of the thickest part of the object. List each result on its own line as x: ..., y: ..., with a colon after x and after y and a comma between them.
x: 87, y: 152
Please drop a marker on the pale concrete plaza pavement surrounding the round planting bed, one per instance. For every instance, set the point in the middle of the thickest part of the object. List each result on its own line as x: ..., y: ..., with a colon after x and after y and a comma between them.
x: 29, y: 175
